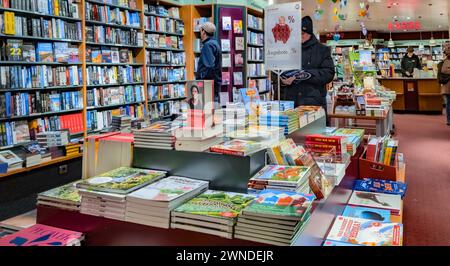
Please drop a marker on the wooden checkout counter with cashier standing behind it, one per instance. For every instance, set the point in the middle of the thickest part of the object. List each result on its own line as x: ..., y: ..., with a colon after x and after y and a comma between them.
x: 415, y: 95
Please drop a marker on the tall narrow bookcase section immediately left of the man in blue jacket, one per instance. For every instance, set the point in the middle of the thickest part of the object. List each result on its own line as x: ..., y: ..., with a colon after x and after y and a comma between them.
x: 165, y: 59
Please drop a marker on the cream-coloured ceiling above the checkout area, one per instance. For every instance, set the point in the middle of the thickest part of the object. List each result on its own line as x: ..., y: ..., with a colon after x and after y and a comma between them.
x: 380, y: 14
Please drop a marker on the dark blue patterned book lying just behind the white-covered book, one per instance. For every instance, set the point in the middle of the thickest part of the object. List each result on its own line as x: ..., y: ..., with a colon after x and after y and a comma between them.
x: 381, y: 186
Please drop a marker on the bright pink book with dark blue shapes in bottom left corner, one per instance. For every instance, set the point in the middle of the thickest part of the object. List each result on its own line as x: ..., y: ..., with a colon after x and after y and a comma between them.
x: 43, y: 235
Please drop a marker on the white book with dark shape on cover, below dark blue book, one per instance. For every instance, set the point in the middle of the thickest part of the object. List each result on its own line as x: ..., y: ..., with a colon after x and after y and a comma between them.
x: 376, y: 200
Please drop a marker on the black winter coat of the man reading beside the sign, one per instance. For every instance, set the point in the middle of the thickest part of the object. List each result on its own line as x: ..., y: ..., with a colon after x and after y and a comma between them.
x: 317, y: 61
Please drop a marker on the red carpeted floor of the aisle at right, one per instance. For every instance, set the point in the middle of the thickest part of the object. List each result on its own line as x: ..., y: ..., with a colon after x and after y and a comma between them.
x: 425, y: 142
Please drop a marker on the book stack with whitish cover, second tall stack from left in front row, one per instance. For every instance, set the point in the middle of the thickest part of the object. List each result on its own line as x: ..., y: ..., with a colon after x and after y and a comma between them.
x: 151, y: 205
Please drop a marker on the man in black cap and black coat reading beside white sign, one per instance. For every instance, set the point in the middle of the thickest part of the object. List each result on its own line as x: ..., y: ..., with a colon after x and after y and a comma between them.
x: 308, y: 87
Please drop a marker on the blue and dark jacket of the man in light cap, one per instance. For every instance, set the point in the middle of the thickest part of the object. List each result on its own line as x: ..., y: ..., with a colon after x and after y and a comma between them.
x: 209, y: 66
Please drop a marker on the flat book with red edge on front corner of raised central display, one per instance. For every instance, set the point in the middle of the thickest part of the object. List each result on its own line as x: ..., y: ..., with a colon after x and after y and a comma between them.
x: 238, y: 147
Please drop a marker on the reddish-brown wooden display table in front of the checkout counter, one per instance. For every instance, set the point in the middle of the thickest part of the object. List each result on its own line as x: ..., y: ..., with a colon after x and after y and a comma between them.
x: 384, y: 124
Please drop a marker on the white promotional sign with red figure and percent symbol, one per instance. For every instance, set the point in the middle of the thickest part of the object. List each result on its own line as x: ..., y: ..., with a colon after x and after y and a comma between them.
x: 283, y: 44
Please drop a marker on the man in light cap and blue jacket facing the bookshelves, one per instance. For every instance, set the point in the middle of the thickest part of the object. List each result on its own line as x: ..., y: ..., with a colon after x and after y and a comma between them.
x: 209, y: 65
